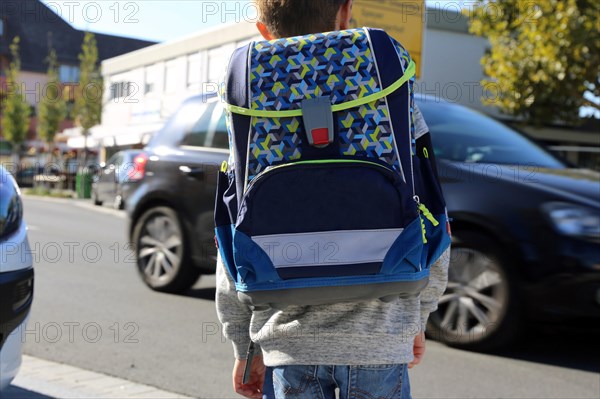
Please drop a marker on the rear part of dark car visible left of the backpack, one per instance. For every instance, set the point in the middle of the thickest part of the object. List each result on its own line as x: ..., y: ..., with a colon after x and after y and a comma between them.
x: 171, y: 212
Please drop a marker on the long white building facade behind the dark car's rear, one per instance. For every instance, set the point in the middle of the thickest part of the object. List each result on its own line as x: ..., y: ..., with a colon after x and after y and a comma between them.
x: 143, y: 88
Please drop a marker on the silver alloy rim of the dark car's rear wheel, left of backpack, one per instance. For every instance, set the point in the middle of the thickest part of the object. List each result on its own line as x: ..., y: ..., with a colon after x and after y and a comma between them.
x: 161, y: 248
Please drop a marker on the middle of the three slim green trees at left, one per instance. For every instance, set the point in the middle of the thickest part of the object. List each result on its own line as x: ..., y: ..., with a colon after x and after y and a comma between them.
x: 53, y: 108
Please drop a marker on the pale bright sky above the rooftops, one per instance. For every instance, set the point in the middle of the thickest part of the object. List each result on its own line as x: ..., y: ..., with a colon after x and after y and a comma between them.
x: 161, y: 20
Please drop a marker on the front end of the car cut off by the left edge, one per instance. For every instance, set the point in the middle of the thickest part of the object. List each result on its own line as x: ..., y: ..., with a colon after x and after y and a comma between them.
x: 16, y: 277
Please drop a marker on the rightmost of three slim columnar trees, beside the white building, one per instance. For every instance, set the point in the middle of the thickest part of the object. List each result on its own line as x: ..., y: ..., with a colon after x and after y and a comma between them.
x: 88, y: 97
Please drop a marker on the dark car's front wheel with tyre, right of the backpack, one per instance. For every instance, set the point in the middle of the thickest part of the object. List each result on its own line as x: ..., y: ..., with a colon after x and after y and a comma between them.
x: 479, y: 310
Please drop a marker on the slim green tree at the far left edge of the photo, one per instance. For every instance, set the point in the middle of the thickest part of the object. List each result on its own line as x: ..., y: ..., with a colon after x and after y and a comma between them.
x: 15, y: 110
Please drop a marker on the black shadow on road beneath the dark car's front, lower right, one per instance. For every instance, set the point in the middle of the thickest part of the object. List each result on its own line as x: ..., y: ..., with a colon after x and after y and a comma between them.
x: 572, y: 349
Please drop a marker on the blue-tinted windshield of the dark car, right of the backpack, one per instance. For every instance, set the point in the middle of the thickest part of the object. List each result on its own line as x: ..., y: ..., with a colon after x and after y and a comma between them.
x: 463, y: 135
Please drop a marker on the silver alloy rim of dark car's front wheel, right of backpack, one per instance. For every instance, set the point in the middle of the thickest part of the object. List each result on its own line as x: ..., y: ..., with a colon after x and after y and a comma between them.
x: 476, y: 297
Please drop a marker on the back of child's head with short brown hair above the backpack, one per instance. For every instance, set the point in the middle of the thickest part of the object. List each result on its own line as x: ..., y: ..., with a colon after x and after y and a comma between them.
x: 286, y: 18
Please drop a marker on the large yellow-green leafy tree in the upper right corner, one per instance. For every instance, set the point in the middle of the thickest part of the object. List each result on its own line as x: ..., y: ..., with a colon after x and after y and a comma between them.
x: 544, y: 58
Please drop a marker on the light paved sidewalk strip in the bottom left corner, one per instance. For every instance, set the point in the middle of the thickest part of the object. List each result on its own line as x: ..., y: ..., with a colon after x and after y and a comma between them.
x: 43, y: 379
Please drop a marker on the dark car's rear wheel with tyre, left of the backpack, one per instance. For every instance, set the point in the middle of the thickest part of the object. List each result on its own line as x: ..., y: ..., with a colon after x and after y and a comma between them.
x: 161, y: 251
